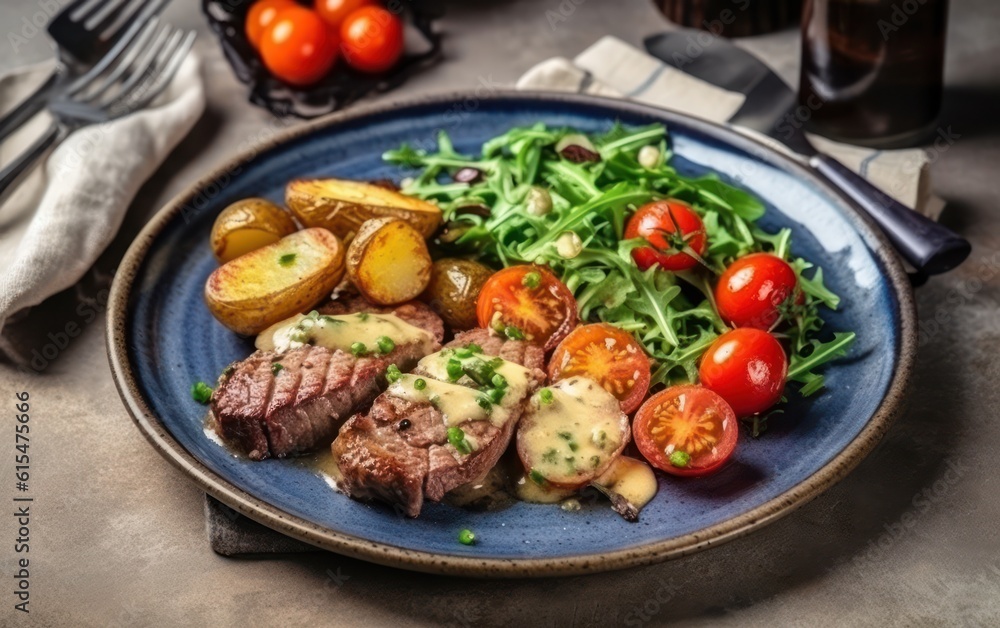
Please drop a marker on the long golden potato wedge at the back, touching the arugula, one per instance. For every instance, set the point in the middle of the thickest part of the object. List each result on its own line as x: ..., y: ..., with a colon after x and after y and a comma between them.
x: 342, y: 206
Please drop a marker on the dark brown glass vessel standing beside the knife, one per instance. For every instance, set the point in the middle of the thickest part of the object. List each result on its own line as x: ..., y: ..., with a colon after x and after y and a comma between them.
x: 872, y: 70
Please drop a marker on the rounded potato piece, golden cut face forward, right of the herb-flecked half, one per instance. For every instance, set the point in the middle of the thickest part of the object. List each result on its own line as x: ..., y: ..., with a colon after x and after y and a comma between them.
x: 388, y: 261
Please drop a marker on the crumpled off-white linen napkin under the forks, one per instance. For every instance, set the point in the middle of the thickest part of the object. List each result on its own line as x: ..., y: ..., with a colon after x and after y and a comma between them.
x: 66, y: 213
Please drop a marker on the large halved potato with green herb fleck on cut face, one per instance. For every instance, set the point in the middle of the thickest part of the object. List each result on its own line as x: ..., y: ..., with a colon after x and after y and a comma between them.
x: 274, y: 282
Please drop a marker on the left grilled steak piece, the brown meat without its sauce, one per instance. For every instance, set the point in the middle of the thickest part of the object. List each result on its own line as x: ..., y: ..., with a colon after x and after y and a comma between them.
x: 267, y: 410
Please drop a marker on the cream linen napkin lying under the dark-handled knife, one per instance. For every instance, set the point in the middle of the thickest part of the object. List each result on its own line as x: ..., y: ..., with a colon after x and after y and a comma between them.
x: 614, y: 68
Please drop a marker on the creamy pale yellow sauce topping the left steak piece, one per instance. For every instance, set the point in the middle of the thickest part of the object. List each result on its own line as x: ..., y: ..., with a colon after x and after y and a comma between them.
x: 340, y: 332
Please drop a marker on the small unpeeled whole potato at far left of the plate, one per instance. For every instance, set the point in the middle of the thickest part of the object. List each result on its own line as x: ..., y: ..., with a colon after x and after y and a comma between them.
x: 248, y: 225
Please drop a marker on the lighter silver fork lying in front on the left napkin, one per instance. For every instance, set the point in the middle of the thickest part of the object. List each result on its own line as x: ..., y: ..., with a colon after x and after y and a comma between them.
x: 128, y: 82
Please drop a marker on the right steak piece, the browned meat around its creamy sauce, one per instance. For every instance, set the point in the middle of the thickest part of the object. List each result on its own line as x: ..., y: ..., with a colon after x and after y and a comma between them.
x: 399, y: 451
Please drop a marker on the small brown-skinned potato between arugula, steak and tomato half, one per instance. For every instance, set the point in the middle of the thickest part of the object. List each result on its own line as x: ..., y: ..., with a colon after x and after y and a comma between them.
x: 454, y: 290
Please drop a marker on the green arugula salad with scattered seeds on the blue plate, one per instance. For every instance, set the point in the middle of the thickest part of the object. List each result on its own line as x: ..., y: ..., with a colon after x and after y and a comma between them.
x: 562, y: 199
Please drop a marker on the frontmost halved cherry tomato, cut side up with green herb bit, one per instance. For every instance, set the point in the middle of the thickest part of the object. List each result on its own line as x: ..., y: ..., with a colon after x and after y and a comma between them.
x: 686, y: 430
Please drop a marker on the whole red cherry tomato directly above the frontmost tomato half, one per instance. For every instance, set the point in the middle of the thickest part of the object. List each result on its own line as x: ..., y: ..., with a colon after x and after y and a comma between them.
x: 746, y: 367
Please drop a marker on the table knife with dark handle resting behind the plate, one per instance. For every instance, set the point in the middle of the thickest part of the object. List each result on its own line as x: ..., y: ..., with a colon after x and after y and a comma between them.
x: 927, y: 245
